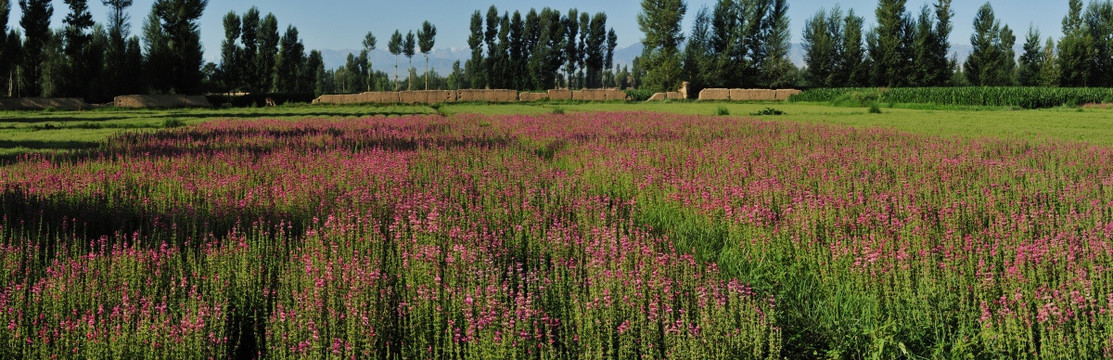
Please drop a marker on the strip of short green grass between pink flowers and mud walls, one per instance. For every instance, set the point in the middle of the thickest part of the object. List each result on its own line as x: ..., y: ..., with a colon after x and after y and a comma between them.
x: 44, y: 132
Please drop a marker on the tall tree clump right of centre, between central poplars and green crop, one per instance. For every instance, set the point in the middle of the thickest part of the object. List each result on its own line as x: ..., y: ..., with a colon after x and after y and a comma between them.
x: 738, y: 44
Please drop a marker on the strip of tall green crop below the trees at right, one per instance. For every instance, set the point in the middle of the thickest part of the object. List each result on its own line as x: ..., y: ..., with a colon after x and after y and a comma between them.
x: 1025, y: 98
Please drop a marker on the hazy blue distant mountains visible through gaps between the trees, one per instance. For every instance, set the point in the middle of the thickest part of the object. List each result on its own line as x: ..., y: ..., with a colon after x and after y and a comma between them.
x: 441, y: 60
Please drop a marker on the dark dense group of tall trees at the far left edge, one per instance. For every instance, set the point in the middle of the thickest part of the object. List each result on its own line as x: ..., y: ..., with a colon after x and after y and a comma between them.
x: 99, y: 62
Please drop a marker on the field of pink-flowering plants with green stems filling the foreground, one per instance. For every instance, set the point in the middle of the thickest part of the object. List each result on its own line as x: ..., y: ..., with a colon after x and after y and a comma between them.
x: 590, y: 236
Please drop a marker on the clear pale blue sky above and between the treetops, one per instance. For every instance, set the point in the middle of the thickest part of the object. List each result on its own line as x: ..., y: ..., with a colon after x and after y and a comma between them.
x: 342, y: 24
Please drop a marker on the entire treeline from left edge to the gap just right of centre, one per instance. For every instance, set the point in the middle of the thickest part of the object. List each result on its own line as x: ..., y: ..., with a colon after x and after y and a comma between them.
x: 85, y: 60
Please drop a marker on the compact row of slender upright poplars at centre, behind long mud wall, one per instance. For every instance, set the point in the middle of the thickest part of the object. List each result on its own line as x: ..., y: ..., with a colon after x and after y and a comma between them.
x: 573, y: 51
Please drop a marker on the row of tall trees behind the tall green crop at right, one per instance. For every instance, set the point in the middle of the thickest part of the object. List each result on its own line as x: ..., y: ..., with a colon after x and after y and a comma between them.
x: 907, y: 51
